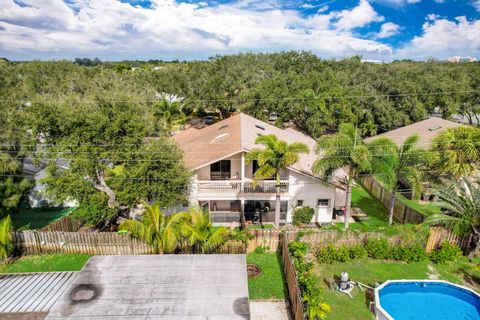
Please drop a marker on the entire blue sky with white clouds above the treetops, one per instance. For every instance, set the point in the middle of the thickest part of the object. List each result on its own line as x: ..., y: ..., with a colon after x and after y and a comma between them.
x: 169, y: 29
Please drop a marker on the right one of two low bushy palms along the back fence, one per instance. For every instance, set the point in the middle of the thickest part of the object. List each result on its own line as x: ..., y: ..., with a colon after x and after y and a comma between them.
x: 200, y: 233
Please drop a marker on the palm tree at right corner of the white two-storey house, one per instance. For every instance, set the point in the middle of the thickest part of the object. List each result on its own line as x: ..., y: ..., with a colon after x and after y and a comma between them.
x: 343, y: 149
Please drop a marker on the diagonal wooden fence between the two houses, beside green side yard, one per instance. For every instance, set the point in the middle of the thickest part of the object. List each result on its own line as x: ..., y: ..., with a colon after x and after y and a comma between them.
x: 401, y: 213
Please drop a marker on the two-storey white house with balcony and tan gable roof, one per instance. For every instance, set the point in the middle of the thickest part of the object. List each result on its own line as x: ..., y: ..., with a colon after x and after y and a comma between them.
x: 223, y: 184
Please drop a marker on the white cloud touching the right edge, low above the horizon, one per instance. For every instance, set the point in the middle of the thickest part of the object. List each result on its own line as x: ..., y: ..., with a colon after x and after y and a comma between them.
x: 442, y: 38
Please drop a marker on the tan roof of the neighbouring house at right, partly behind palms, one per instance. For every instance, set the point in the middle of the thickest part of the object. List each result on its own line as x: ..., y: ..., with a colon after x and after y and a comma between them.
x: 426, y: 129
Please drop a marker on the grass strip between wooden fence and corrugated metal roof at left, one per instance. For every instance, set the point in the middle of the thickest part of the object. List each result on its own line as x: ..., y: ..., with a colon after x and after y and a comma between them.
x: 46, y: 263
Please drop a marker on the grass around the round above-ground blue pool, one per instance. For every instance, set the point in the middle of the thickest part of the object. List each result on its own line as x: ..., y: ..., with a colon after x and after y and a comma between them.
x: 369, y: 272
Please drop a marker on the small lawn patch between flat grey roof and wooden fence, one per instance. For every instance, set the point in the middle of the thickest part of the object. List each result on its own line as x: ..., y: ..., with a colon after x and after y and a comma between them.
x: 270, y: 284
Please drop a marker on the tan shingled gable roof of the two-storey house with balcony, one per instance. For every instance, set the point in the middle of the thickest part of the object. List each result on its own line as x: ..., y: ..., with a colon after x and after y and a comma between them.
x: 236, y: 134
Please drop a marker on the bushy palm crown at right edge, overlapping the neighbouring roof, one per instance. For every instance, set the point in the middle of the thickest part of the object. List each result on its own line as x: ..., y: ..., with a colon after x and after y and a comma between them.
x: 458, y: 151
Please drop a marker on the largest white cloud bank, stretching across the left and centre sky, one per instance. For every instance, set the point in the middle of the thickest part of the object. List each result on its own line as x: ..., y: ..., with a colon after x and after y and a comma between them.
x: 107, y: 28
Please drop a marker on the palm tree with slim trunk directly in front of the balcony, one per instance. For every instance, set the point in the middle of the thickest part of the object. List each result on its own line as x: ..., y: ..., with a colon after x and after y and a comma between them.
x: 274, y: 157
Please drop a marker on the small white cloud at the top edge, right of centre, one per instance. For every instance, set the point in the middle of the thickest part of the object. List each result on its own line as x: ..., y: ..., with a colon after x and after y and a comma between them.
x: 359, y: 16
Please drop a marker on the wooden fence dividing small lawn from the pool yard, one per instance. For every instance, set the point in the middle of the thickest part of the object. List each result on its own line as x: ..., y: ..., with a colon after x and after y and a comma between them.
x: 294, y: 293
